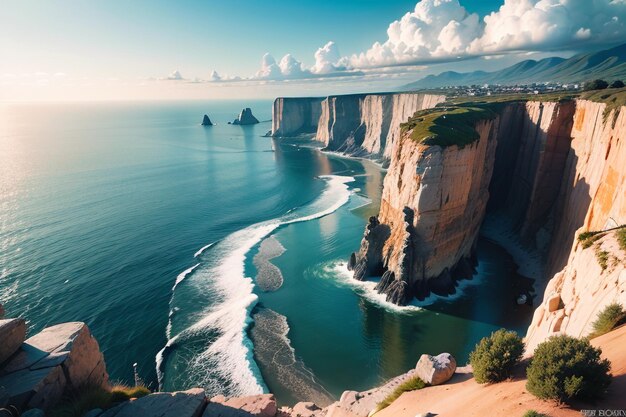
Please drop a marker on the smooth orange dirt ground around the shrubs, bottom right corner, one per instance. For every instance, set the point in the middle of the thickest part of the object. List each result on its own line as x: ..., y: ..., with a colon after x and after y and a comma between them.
x: 463, y: 397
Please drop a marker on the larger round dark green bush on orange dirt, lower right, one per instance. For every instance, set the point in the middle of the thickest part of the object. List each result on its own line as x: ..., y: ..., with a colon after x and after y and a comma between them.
x: 564, y: 367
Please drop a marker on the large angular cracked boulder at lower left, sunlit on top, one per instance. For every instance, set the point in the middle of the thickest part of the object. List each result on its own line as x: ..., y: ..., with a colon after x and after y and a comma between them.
x: 55, y: 361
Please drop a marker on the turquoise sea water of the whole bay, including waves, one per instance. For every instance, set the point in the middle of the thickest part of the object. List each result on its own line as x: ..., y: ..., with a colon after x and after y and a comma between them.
x: 135, y: 219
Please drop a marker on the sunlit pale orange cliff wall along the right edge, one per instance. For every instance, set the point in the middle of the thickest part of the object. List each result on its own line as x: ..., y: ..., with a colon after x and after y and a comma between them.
x: 592, y: 198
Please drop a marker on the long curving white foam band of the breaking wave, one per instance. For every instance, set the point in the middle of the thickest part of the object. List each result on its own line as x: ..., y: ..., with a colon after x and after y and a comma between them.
x: 227, y: 365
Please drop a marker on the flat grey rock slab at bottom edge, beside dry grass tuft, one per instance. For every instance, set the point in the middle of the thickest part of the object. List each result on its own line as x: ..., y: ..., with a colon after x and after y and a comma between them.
x: 162, y: 404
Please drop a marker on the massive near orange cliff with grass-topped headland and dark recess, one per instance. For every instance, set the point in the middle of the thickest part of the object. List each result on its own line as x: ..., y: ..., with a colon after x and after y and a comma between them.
x: 550, y: 167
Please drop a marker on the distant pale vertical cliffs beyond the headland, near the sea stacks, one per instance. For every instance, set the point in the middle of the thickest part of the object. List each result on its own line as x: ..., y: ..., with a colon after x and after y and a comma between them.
x: 365, y: 125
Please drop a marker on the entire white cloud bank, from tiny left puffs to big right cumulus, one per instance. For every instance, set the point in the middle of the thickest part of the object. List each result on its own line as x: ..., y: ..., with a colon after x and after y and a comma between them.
x: 443, y: 30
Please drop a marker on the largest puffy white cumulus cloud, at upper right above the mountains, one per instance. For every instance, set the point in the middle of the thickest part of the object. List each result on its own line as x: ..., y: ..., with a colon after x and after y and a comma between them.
x: 444, y: 29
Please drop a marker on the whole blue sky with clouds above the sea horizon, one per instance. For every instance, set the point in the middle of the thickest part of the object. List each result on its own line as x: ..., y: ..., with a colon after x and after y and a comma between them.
x: 113, y: 49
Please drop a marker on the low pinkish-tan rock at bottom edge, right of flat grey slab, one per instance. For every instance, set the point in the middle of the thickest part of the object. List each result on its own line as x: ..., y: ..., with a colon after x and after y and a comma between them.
x: 263, y: 405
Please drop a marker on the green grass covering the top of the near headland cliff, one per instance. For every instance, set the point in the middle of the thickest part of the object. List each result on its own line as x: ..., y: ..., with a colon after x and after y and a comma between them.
x: 453, y: 122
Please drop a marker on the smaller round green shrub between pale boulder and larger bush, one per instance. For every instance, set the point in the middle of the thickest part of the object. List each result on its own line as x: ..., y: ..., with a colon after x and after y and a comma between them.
x: 495, y: 356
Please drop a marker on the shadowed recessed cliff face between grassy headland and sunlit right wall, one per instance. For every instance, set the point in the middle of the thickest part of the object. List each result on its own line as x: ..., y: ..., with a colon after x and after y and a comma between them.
x: 533, y: 146
